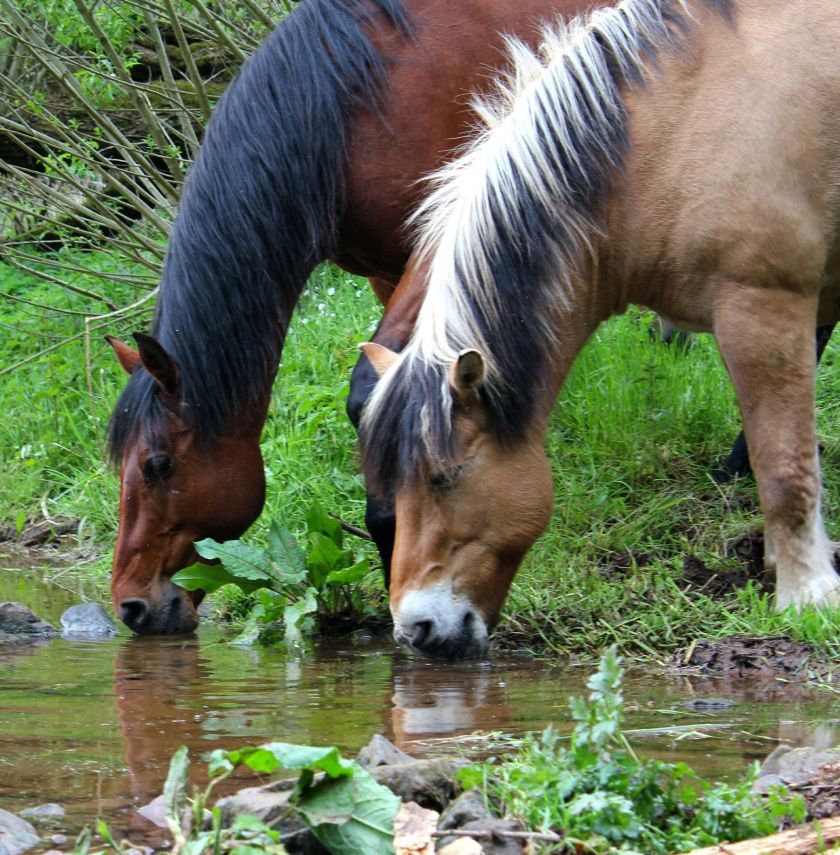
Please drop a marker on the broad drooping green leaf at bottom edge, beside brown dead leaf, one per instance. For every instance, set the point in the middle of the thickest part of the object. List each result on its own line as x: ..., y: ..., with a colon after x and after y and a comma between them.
x: 351, y: 816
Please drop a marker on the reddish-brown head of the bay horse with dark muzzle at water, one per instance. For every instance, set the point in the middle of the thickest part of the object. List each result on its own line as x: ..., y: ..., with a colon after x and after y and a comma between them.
x: 174, y: 490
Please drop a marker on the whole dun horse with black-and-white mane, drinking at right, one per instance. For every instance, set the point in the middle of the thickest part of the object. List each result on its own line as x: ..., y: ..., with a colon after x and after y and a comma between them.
x: 682, y: 155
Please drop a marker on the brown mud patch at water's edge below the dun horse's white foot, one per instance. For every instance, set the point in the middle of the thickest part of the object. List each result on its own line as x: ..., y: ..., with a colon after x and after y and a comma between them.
x: 741, y: 656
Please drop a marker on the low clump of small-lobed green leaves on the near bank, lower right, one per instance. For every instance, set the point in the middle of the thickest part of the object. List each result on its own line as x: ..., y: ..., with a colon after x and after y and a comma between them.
x: 602, y: 798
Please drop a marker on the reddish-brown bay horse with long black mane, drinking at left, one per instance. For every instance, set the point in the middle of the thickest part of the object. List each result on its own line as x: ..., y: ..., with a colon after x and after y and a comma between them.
x: 315, y: 151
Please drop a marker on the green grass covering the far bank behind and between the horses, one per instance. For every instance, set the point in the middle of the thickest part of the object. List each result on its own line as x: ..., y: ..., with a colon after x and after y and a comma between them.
x: 636, y: 432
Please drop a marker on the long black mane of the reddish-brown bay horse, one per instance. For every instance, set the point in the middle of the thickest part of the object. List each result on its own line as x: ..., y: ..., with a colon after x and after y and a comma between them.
x: 259, y: 209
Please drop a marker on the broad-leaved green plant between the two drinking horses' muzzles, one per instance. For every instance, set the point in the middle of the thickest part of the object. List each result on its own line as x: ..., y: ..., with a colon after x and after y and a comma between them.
x: 291, y: 587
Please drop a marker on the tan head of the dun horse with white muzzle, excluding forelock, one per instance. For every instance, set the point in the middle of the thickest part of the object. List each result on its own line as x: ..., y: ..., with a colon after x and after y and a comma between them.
x: 463, y: 530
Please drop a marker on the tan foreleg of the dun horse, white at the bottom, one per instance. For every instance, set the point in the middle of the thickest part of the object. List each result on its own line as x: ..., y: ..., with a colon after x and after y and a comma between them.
x: 765, y: 337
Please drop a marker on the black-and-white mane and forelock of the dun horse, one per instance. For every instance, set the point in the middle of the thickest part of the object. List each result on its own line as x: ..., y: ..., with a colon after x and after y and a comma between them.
x: 507, y: 225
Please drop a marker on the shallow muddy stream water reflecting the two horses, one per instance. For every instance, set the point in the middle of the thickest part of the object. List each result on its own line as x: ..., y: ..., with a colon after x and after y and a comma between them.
x: 92, y: 725
